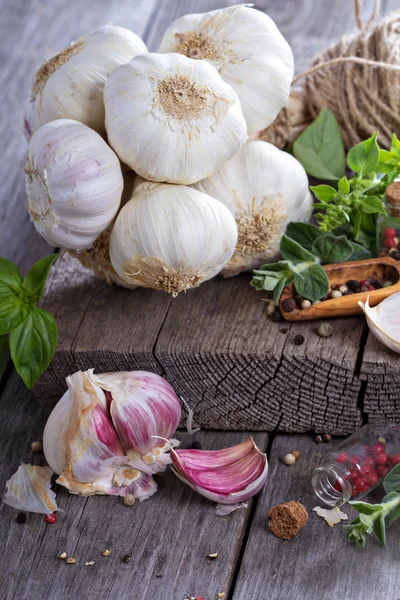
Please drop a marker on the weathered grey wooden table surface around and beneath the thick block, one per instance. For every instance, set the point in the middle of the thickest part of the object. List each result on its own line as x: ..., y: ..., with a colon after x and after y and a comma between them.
x: 168, y: 538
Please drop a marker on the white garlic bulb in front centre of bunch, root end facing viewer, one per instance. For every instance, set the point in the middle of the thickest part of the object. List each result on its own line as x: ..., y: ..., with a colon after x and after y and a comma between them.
x: 172, y: 119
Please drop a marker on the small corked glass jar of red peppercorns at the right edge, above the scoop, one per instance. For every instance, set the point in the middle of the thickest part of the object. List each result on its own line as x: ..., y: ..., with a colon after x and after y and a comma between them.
x: 388, y: 226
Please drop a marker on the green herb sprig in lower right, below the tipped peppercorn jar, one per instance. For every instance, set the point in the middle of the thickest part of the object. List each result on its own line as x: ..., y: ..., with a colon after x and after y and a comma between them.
x: 377, y: 518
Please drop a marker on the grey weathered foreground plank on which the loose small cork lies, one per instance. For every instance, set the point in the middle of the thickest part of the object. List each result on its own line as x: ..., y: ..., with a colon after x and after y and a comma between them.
x: 319, y: 562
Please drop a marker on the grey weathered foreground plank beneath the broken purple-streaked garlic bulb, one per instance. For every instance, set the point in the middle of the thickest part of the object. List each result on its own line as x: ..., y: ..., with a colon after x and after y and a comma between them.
x: 168, y: 537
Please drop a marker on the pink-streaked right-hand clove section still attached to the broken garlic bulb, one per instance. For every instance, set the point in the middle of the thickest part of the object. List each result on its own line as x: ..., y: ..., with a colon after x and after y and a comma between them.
x: 142, y: 405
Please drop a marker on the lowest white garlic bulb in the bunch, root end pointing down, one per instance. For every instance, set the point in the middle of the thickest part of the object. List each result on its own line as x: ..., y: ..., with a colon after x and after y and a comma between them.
x: 171, y: 238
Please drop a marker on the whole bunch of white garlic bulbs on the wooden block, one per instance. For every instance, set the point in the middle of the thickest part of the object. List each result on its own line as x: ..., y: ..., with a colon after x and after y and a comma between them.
x: 178, y: 118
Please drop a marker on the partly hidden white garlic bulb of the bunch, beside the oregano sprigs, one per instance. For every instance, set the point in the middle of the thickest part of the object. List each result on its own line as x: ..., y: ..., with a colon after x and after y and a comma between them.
x: 264, y: 188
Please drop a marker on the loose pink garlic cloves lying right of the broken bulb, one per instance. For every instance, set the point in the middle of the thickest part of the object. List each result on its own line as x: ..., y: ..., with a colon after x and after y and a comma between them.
x: 229, y: 476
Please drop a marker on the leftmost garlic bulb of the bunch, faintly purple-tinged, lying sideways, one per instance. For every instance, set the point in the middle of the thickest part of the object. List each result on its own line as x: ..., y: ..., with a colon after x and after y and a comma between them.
x: 73, y: 184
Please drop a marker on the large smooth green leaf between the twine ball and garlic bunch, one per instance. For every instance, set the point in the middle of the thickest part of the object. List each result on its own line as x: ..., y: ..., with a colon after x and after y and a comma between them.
x: 320, y: 148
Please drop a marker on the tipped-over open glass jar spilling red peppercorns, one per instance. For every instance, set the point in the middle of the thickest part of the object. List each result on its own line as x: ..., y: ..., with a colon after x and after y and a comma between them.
x: 358, y: 465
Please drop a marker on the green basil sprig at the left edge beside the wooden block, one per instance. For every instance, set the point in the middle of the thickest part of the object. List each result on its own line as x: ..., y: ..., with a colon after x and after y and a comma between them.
x: 33, y: 331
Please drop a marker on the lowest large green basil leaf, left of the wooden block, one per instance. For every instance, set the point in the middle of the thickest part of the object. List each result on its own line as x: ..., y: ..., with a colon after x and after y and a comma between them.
x: 33, y: 345
